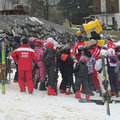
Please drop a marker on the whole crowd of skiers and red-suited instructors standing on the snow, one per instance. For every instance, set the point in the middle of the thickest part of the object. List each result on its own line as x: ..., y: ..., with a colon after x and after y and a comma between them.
x: 84, y: 62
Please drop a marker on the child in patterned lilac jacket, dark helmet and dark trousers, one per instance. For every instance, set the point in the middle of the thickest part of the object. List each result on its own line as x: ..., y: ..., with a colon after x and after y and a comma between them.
x: 90, y: 64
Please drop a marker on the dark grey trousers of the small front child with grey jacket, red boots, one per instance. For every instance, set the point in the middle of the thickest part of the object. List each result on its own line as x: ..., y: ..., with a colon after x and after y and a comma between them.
x: 78, y: 81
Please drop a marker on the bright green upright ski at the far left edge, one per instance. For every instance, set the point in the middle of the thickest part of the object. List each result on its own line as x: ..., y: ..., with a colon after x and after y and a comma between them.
x: 3, y: 68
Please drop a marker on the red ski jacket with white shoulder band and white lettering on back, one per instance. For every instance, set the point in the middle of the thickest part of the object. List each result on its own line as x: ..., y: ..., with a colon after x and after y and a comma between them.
x: 25, y: 55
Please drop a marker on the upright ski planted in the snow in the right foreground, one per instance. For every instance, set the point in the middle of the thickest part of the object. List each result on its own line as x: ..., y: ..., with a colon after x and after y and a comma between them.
x: 106, y: 96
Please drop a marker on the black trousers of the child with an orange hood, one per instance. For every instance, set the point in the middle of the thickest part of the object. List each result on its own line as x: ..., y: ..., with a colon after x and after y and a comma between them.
x: 67, y: 81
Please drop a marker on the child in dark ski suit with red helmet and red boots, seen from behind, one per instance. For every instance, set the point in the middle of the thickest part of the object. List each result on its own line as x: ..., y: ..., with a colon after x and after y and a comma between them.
x: 49, y: 60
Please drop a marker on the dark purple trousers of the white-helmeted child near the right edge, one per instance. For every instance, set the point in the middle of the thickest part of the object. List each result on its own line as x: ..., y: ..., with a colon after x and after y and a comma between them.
x: 113, y: 80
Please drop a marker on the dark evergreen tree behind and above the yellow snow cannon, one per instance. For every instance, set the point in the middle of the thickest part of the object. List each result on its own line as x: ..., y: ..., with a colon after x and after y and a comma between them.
x: 75, y: 10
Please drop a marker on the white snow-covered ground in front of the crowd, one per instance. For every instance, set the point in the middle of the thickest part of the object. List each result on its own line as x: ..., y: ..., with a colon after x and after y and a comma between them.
x: 15, y: 105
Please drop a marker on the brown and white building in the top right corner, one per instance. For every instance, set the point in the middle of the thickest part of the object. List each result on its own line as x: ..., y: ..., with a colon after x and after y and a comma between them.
x: 108, y: 12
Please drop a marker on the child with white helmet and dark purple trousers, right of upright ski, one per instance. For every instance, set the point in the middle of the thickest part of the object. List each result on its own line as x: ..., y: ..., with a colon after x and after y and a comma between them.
x: 111, y: 71
